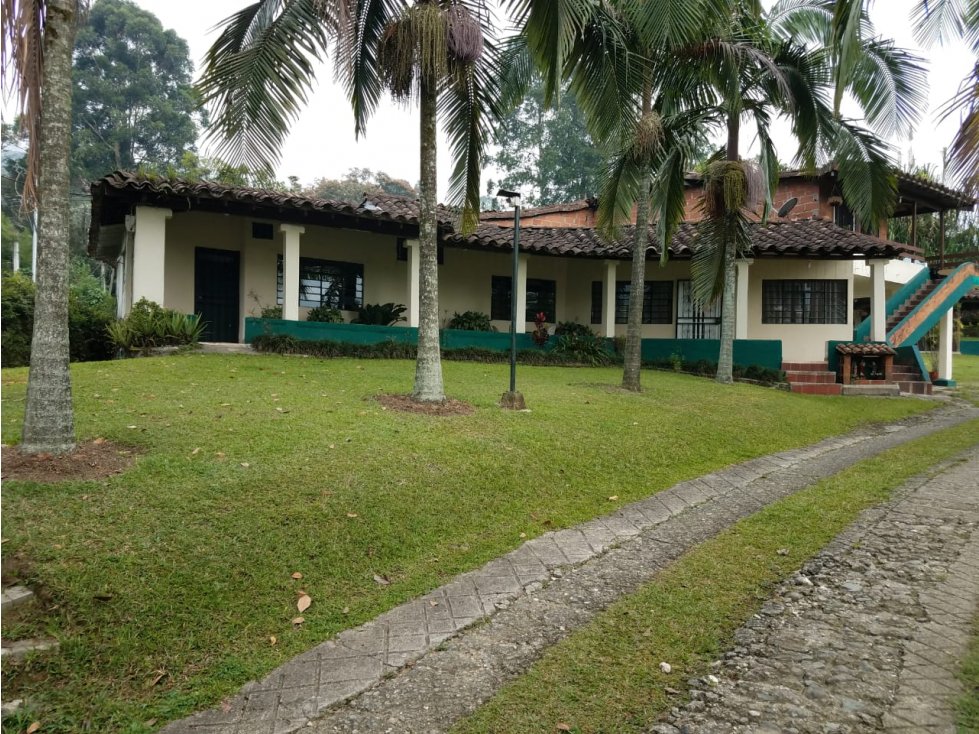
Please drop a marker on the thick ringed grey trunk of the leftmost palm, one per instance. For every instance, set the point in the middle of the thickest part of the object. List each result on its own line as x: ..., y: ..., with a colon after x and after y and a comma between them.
x: 48, y: 418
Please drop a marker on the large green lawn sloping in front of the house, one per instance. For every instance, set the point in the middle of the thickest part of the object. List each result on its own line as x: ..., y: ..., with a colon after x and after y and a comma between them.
x: 167, y: 582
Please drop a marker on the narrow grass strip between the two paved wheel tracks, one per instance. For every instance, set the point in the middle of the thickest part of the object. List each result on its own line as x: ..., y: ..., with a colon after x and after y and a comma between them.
x: 605, y: 677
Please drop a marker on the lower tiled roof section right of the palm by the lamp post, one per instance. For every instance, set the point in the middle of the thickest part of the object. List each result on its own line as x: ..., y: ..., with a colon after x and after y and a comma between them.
x: 803, y: 238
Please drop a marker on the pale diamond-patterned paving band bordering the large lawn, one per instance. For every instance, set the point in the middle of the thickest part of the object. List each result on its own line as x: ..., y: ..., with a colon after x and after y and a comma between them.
x: 357, y: 659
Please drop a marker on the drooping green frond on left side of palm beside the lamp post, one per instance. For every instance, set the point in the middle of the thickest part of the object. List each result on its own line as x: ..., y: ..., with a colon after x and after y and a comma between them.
x: 257, y: 75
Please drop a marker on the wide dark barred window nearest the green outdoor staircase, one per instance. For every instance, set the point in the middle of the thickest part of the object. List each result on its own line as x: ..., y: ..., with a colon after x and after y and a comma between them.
x: 804, y: 302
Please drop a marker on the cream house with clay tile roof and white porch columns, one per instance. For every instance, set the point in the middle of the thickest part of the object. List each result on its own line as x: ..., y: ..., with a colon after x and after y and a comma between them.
x: 226, y: 252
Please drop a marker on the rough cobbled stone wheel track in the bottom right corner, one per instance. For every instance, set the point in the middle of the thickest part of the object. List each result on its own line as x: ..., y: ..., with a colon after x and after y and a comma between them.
x: 869, y: 635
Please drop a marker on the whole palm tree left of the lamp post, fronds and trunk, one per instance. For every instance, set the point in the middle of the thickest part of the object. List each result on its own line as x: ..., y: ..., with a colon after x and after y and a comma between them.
x: 262, y: 66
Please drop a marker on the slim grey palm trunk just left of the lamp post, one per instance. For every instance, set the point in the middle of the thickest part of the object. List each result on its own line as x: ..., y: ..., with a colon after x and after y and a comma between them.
x: 428, y: 366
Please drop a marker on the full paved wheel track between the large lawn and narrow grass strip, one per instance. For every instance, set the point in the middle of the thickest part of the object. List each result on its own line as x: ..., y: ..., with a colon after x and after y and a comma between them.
x: 424, y: 664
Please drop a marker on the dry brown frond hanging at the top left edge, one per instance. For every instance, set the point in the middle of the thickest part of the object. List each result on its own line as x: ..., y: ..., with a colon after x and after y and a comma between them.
x: 23, y: 67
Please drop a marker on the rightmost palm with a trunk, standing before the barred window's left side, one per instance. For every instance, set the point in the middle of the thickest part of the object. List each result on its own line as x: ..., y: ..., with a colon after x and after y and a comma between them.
x: 761, y: 69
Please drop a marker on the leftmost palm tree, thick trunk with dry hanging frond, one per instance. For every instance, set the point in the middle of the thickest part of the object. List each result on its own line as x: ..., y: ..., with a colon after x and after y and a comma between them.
x: 38, y: 39
